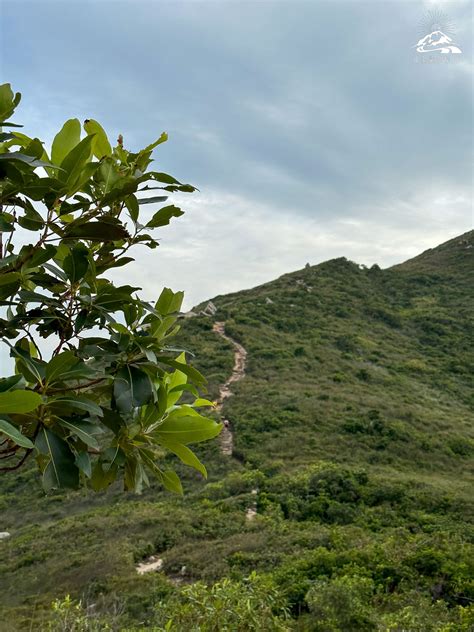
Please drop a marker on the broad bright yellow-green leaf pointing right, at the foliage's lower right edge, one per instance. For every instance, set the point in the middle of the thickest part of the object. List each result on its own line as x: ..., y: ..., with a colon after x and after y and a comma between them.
x: 185, y: 425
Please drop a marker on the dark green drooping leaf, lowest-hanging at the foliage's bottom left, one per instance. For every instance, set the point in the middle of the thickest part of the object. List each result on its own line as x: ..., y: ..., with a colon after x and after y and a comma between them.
x: 61, y: 470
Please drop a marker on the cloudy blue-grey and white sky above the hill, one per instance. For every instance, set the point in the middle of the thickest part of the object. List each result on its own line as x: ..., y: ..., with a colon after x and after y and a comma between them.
x: 311, y: 129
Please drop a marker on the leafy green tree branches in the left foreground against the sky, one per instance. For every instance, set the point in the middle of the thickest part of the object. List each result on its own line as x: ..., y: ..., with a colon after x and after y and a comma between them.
x: 96, y: 390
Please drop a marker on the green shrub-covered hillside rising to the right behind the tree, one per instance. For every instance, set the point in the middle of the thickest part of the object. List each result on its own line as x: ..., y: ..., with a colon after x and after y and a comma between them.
x: 354, y: 424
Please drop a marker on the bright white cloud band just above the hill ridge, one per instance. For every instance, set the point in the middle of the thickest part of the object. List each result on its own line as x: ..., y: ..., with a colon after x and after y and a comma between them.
x: 225, y: 243
